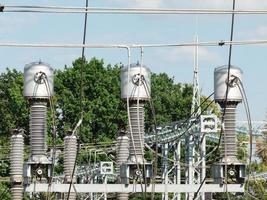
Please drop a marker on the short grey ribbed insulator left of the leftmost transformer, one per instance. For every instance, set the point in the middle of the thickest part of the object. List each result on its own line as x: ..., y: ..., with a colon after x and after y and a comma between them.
x: 16, y: 155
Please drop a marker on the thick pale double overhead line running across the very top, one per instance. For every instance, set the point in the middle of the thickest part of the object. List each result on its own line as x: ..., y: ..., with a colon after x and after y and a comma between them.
x: 104, y: 10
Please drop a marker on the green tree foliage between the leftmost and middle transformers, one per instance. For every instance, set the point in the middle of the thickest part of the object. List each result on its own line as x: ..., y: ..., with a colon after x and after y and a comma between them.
x: 103, y: 109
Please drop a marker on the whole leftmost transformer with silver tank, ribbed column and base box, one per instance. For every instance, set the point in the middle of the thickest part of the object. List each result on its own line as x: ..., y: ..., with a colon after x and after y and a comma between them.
x: 38, y: 90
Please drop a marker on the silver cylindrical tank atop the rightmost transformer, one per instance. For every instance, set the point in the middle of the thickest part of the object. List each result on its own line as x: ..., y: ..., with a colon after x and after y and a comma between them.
x: 220, y: 84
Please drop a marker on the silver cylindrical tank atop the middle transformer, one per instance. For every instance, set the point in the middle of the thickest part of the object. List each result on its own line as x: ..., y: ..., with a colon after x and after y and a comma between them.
x: 137, y: 84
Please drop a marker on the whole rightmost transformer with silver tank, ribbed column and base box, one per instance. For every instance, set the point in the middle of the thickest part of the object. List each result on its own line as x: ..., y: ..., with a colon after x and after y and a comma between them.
x: 229, y: 169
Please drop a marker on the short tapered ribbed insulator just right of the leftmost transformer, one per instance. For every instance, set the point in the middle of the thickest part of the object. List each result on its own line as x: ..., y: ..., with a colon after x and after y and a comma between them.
x: 70, y: 151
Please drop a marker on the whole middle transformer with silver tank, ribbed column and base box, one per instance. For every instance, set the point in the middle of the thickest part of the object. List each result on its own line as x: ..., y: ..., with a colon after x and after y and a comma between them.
x: 135, y: 89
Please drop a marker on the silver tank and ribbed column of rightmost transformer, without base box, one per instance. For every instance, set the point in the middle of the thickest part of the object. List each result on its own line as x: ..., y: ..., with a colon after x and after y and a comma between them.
x: 229, y: 103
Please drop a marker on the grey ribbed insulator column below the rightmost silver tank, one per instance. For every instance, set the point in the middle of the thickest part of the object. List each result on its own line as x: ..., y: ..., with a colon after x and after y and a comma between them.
x: 229, y: 138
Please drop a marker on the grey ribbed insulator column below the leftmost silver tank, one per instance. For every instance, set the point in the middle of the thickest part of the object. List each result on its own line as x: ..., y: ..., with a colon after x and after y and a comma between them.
x: 38, y: 116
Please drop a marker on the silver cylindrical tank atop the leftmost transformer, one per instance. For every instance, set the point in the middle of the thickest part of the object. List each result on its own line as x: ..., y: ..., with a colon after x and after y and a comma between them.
x: 38, y: 81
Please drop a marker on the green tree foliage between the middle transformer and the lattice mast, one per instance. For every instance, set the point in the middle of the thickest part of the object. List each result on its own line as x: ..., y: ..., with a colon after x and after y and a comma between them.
x: 172, y: 101
